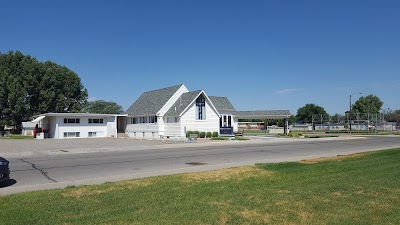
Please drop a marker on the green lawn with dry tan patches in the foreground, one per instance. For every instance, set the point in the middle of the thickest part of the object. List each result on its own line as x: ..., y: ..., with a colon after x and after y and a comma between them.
x: 356, y: 189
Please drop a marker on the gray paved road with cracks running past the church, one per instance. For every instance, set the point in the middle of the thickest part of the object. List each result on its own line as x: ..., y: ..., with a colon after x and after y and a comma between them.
x: 56, y: 171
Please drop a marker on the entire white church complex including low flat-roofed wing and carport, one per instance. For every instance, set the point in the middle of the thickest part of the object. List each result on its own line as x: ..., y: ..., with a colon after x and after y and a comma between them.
x: 163, y: 113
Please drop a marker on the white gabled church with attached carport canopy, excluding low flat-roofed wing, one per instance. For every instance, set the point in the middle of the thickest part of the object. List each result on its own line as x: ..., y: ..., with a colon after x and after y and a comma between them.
x: 172, y: 111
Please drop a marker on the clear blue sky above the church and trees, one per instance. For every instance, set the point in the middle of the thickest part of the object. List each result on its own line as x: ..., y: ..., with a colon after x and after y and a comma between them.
x: 259, y: 54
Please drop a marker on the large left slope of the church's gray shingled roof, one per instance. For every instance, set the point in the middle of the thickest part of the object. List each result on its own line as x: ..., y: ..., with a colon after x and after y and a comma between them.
x: 150, y: 102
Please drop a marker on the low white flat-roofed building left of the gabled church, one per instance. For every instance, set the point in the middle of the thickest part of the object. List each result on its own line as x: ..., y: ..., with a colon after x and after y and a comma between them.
x: 76, y: 125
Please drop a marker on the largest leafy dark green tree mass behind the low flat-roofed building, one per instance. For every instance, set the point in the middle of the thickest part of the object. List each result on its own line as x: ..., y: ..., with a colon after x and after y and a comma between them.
x: 29, y: 87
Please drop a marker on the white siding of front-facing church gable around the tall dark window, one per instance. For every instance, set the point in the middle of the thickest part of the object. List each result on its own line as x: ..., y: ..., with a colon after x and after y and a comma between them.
x: 188, y: 120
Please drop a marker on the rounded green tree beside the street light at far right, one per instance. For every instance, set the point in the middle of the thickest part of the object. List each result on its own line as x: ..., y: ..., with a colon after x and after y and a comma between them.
x: 367, y: 104
